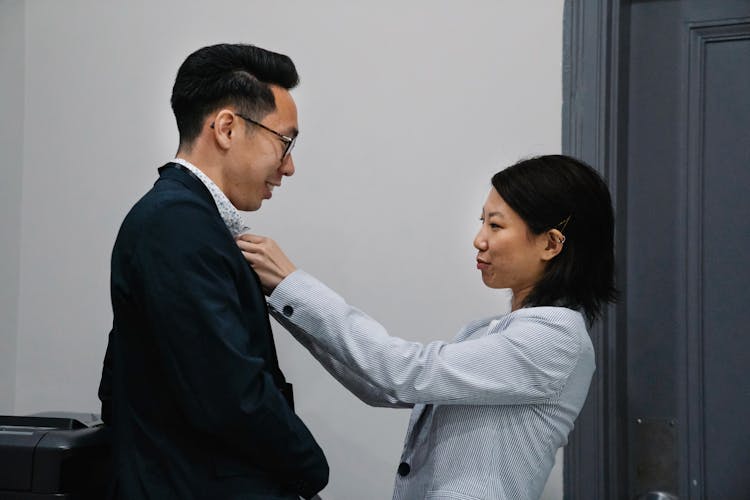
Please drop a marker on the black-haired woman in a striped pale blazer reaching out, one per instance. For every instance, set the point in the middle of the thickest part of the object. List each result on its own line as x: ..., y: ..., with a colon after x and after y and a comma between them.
x: 491, y: 407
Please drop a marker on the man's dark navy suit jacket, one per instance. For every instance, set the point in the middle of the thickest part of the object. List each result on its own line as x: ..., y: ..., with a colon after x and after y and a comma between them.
x: 191, y: 385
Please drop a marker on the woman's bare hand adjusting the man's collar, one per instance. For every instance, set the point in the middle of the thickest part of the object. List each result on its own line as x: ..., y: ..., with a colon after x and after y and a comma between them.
x: 271, y: 264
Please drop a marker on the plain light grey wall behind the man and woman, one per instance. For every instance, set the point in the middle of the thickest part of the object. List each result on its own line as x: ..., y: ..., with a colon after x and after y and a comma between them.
x: 406, y: 110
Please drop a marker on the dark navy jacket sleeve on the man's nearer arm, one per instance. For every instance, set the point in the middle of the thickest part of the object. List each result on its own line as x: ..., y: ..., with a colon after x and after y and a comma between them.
x: 187, y: 274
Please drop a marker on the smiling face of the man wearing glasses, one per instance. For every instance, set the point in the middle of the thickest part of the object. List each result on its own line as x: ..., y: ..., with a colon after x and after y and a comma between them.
x: 255, y: 163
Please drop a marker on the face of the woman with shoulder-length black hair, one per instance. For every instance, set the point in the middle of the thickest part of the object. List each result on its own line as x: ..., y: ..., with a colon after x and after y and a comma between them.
x: 509, y: 256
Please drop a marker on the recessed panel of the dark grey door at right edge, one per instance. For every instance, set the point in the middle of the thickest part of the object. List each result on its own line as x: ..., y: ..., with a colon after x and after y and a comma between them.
x: 725, y: 273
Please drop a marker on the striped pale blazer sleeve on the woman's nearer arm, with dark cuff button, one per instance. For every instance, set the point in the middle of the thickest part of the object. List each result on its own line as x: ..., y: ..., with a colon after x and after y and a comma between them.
x: 526, y: 361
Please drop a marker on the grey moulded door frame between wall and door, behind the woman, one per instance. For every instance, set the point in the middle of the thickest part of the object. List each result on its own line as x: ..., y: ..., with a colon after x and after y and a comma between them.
x: 594, y: 118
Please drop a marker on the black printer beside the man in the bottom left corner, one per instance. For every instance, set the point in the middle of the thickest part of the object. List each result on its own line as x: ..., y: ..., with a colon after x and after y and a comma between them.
x: 53, y: 456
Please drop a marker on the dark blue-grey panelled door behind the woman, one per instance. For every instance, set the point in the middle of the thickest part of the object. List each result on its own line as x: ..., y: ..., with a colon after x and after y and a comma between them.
x: 674, y: 403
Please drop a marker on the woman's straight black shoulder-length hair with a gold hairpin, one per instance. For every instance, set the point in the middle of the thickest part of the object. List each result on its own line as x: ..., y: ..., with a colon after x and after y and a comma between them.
x: 558, y: 191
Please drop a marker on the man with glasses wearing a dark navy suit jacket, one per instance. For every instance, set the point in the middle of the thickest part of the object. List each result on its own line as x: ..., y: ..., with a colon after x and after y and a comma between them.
x: 191, y: 386
